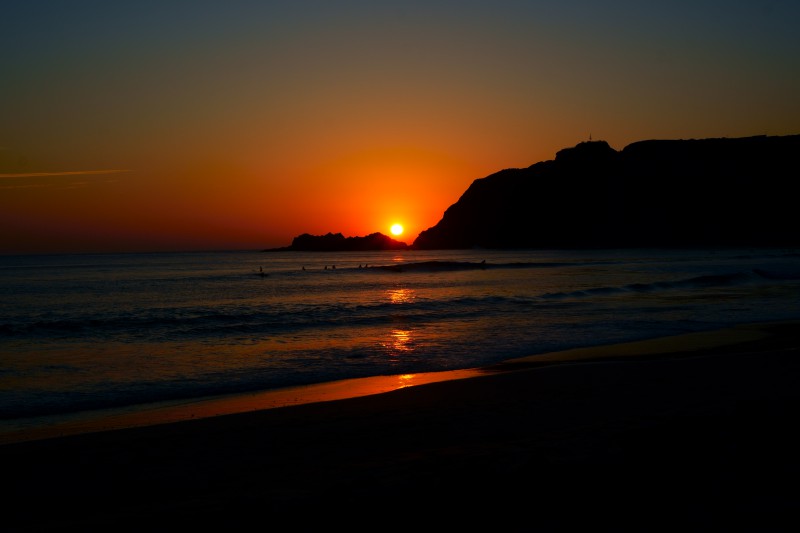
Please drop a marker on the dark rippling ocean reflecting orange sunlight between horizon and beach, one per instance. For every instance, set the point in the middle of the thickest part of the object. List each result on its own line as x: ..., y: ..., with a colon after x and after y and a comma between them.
x: 87, y: 333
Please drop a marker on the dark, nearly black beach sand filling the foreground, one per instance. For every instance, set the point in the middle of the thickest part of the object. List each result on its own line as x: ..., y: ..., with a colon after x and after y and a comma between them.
x: 642, y: 437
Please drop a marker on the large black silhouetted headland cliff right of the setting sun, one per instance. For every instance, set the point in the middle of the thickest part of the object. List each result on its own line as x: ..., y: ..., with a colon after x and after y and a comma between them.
x: 707, y: 192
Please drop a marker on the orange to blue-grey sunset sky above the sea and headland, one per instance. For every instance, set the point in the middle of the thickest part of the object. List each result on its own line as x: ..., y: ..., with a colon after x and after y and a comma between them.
x: 143, y: 126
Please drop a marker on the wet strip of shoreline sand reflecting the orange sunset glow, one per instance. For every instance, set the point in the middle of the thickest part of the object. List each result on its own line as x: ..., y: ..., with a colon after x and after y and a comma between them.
x: 199, y: 408
